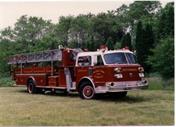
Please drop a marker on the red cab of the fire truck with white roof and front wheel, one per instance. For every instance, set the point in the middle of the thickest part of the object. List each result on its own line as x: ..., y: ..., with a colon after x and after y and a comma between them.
x: 108, y: 71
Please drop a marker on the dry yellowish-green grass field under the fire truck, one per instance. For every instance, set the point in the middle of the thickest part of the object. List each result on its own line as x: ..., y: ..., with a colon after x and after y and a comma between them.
x: 143, y: 107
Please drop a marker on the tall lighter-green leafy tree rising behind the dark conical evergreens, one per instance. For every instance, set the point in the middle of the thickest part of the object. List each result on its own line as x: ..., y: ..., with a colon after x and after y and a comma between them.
x: 144, y: 11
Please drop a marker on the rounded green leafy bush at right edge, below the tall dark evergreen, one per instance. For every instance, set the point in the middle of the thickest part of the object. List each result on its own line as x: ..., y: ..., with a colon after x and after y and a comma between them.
x: 162, y: 60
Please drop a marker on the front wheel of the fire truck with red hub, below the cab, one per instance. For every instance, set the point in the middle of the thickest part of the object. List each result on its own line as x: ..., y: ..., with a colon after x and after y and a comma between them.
x: 86, y: 91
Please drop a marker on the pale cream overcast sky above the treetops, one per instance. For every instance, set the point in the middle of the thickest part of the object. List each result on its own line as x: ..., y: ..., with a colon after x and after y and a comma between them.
x: 10, y: 11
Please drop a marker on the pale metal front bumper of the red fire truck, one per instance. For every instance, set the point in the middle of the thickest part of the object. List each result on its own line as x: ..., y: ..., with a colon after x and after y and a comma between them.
x: 122, y: 86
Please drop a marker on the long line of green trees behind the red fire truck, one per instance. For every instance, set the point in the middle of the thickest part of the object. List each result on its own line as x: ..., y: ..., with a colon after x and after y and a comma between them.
x: 145, y: 27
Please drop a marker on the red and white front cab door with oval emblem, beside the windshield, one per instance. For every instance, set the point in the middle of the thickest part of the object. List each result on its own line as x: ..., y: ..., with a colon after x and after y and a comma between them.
x: 99, y: 74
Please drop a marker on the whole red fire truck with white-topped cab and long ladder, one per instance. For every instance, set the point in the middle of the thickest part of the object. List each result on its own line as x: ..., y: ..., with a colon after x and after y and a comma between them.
x: 88, y: 73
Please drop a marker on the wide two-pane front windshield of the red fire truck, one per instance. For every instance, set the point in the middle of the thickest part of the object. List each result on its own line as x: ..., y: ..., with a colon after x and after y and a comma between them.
x: 120, y: 58
